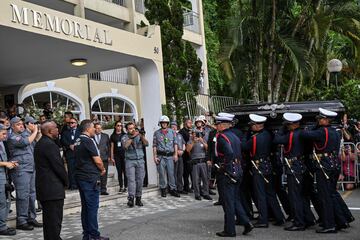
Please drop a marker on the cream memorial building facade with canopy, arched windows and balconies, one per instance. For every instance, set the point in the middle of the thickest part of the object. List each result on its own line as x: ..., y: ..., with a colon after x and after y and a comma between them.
x: 123, y: 77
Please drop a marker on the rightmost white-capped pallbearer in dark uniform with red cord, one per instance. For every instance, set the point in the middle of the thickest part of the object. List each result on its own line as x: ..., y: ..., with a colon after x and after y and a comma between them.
x: 326, y: 143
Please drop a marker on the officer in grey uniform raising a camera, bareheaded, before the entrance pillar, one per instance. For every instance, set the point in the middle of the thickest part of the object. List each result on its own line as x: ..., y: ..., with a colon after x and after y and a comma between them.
x: 134, y: 143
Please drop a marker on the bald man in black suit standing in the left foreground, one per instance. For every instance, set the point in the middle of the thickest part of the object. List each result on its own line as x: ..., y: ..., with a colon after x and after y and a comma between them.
x: 51, y: 180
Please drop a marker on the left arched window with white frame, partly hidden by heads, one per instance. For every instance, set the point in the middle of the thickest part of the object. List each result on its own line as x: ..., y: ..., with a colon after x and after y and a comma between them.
x: 57, y: 101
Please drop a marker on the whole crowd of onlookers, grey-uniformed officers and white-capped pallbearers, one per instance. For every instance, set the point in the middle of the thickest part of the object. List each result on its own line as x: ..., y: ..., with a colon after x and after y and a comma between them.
x: 248, y: 168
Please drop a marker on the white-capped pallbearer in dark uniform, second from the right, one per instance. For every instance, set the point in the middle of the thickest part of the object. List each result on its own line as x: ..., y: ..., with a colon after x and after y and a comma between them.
x: 290, y: 138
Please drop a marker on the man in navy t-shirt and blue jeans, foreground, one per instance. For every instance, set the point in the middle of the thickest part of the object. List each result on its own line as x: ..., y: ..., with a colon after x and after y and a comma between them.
x: 89, y: 168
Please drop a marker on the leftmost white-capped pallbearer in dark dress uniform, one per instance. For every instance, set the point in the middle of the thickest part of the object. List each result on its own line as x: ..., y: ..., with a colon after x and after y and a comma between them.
x: 228, y: 162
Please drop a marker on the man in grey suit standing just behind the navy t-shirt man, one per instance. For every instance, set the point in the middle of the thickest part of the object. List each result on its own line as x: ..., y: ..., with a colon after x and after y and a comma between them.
x: 103, y: 143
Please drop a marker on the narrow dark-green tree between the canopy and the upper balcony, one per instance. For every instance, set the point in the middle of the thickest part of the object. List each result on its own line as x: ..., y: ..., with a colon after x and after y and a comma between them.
x: 182, y: 67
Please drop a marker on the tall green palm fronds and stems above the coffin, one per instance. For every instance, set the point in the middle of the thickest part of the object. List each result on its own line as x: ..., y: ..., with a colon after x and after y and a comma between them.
x: 277, y: 50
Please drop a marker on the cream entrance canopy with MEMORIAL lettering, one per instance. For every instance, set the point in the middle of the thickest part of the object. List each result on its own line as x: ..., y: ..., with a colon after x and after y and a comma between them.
x: 38, y: 44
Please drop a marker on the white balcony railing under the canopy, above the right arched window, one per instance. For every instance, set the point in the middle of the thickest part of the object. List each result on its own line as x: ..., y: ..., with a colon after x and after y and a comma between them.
x: 120, y: 75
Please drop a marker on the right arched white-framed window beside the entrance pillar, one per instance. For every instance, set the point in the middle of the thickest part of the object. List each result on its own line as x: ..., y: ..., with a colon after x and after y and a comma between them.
x: 110, y: 109
